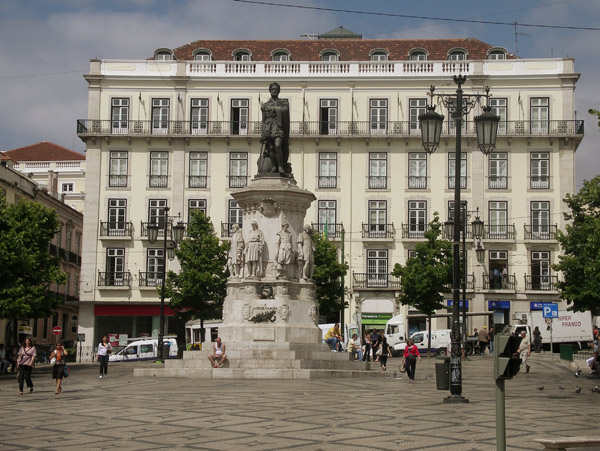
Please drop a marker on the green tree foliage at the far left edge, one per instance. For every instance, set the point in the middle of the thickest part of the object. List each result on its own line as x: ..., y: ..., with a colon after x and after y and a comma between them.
x: 26, y: 268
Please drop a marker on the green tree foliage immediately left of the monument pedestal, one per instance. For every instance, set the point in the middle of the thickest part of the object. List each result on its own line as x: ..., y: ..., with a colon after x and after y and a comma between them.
x: 200, y: 288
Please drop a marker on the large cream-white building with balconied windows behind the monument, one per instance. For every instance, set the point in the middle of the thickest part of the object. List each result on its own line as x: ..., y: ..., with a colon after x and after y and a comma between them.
x: 182, y: 130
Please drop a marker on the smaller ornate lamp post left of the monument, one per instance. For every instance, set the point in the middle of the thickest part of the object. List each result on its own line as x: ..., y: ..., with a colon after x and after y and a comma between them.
x: 177, y: 232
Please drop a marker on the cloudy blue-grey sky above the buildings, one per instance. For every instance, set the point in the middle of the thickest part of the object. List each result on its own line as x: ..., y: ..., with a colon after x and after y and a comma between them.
x: 46, y: 45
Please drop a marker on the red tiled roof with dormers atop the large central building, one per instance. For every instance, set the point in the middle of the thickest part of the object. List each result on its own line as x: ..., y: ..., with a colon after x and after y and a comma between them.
x: 349, y: 49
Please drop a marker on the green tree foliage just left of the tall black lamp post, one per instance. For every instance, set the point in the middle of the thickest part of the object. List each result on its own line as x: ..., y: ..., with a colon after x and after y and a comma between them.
x: 427, y: 275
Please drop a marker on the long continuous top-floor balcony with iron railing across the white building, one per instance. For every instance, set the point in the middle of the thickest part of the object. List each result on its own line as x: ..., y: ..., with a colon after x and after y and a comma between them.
x: 401, y: 129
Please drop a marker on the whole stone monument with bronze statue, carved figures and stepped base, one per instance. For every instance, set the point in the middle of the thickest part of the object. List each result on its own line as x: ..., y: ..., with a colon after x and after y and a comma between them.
x: 270, y: 313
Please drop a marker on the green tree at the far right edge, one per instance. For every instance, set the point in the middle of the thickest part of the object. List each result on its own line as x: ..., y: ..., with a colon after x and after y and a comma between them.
x: 580, y: 243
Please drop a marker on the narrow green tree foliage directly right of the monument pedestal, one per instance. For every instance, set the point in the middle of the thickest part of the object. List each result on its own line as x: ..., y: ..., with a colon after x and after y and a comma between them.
x: 328, y: 277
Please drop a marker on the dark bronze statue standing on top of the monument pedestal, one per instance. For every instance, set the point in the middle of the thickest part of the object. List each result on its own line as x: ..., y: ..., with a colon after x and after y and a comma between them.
x: 275, y: 134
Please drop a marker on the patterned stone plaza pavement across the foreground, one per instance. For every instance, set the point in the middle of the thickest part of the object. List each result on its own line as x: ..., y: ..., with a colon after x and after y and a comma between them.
x: 123, y: 412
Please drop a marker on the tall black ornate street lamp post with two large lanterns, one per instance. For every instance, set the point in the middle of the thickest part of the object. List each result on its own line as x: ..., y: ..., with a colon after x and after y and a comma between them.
x: 459, y: 105
